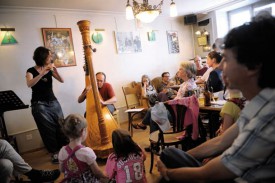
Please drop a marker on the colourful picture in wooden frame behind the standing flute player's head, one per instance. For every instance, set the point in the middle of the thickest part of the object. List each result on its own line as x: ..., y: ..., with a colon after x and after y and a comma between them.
x: 60, y: 42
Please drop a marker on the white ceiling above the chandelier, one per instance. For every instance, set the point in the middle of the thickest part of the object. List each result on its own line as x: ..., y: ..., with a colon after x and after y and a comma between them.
x: 118, y: 6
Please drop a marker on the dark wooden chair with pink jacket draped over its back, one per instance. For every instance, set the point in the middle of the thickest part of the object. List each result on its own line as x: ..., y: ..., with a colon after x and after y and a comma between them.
x: 173, y: 137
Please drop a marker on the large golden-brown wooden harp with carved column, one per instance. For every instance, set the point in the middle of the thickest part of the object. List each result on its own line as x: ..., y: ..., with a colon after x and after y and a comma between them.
x: 100, y: 121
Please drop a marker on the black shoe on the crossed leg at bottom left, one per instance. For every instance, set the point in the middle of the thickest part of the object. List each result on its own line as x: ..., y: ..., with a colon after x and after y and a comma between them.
x: 43, y: 175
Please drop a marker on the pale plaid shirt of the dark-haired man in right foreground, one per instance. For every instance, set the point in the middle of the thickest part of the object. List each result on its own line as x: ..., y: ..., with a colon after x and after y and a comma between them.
x: 252, y: 154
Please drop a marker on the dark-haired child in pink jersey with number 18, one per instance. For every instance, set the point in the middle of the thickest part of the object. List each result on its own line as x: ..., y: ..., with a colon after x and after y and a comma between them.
x: 126, y: 164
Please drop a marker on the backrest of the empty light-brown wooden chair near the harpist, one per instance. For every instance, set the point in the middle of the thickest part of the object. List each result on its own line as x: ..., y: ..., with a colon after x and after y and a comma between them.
x: 131, y: 97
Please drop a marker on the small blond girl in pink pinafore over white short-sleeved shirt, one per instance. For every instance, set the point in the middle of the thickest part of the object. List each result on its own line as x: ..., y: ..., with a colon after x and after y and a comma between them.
x: 77, y: 161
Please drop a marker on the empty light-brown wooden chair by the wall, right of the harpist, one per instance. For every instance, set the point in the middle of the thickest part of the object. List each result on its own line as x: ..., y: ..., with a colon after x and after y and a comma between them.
x: 134, y: 104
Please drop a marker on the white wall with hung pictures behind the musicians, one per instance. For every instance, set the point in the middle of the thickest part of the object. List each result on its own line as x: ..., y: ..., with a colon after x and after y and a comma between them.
x: 121, y: 69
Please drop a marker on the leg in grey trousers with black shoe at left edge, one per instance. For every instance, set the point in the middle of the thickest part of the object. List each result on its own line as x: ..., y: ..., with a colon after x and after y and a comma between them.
x: 11, y: 162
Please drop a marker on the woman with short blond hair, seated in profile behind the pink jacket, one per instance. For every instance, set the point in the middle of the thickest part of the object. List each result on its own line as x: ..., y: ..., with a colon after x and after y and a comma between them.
x: 187, y: 72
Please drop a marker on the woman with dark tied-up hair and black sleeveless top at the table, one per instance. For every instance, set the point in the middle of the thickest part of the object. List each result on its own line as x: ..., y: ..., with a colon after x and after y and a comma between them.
x: 214, y: 81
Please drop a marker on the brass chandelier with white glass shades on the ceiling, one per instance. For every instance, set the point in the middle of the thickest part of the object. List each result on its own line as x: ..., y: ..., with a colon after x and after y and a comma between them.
x: 145, y: 12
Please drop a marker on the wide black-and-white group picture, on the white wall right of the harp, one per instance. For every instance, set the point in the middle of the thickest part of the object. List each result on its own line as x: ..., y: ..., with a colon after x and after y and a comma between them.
x: 128, y: 42
